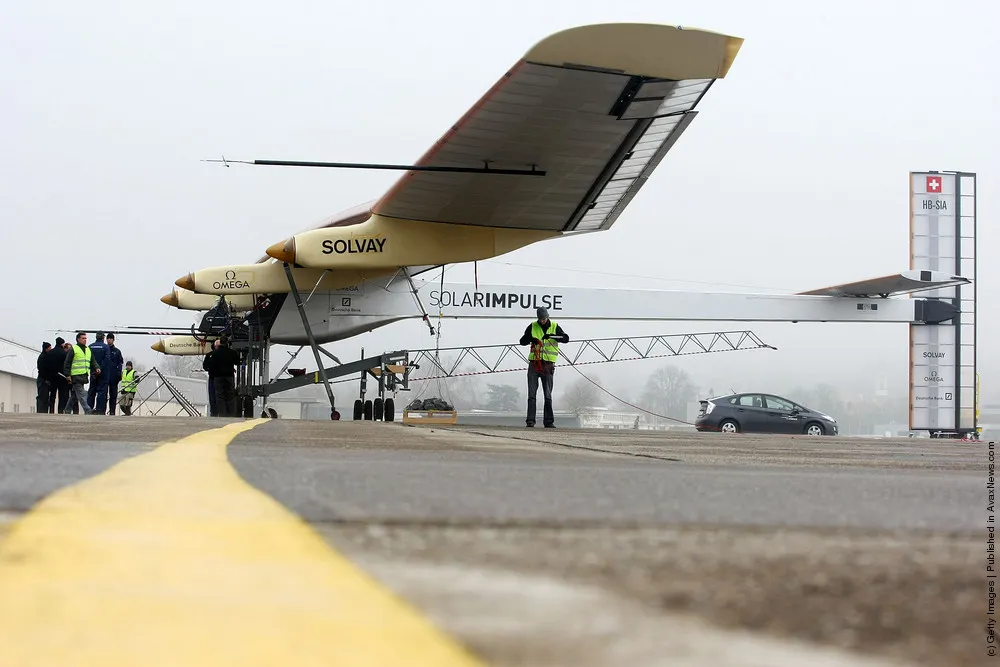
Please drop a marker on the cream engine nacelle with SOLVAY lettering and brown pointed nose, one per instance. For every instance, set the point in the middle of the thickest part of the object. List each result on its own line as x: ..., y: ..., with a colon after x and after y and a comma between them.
x: 388, y: 243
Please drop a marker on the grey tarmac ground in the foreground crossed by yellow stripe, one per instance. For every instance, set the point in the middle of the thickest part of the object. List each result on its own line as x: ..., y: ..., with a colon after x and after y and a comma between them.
x: 529, y: 547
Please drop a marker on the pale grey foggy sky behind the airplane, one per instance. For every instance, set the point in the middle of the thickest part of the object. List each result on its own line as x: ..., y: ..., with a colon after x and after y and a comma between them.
x: 793, y: 176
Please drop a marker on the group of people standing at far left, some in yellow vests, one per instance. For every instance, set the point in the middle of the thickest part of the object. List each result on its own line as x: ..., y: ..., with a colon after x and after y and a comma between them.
x: 65, y: 370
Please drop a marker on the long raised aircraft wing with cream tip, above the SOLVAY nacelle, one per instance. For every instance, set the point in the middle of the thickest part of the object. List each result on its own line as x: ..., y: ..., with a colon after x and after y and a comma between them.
x: 596, y: 107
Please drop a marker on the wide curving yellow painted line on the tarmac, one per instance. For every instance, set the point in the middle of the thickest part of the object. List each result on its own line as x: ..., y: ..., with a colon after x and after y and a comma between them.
x: 170, y: 558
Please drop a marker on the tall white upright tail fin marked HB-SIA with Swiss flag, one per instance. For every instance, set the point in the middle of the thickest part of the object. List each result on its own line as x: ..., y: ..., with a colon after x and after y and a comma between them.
x: 943, y: 379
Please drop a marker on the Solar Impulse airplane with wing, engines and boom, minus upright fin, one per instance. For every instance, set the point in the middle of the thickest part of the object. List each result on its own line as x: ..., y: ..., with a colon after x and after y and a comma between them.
x: 557, y: 146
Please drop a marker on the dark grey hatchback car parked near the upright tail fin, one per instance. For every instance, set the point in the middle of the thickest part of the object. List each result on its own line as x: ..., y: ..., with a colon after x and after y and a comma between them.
x: 761, y: 413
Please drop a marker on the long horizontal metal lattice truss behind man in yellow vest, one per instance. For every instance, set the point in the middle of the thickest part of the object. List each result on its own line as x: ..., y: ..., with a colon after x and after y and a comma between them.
x: 508, y: 358
